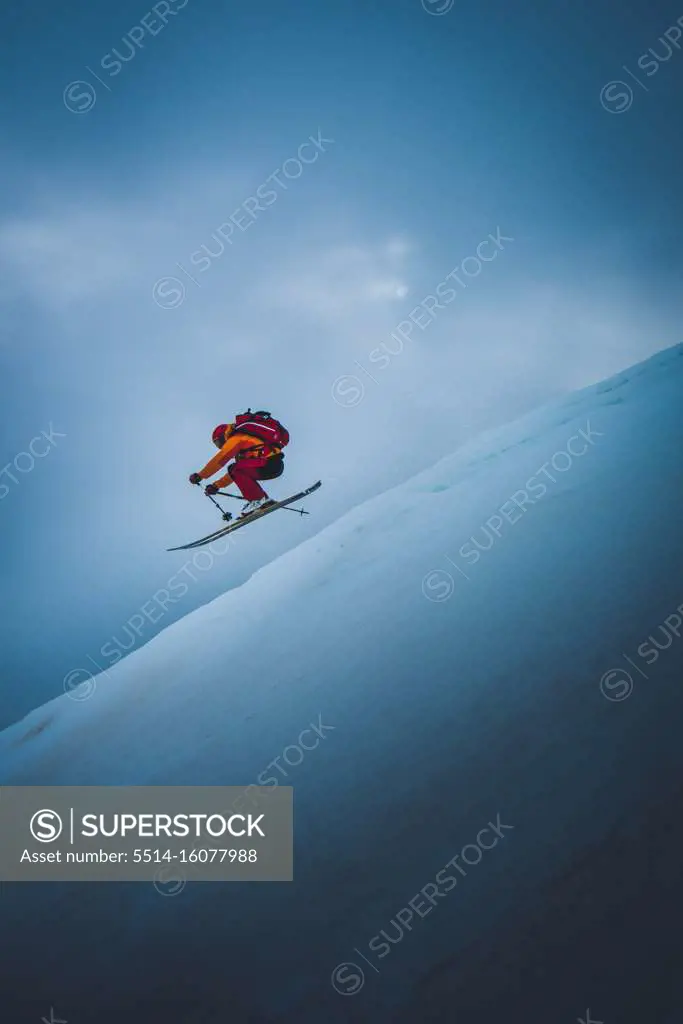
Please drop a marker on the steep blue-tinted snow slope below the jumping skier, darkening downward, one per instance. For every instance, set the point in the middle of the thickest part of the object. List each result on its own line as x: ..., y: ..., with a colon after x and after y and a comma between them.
x: 453, y: 643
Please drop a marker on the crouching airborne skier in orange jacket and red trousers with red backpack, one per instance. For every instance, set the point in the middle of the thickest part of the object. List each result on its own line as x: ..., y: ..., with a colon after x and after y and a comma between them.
x: 255, y: 441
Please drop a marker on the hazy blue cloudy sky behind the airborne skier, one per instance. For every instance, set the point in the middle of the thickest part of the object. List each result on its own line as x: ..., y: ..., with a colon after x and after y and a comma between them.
x: 444, y: 130
